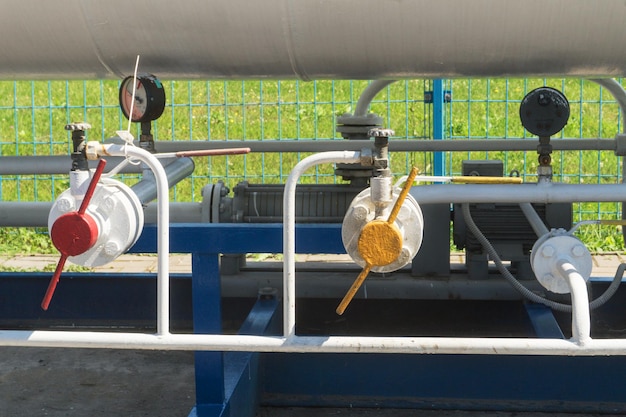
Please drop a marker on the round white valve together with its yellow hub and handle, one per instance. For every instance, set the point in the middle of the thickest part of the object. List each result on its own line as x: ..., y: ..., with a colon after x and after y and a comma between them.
x: 381, y: 245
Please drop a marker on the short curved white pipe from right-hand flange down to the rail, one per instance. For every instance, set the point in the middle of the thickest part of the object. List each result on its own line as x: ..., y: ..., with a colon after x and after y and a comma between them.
x: 581, y: 322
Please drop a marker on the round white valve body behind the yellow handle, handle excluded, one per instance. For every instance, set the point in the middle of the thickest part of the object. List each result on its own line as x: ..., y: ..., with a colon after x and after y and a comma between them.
x: 409, y: 221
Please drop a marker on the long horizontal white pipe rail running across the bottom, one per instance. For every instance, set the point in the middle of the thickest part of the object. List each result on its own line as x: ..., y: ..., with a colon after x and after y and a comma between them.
x: 317, y: 344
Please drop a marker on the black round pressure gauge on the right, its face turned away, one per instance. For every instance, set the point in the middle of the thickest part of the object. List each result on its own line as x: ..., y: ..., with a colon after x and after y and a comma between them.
x: 544, y: 111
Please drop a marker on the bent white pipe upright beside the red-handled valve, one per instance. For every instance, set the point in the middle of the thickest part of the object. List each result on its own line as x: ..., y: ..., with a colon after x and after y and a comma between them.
x: 163, y: 226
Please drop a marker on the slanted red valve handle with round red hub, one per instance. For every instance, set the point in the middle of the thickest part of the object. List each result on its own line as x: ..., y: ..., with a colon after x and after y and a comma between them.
x: 73, y: 233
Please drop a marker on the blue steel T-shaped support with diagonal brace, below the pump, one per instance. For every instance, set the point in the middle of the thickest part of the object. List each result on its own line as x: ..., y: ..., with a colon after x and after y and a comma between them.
x: 227, y: 384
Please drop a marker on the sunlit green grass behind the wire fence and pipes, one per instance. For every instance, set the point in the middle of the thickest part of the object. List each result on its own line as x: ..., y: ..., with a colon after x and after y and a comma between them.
x: 33, y: 114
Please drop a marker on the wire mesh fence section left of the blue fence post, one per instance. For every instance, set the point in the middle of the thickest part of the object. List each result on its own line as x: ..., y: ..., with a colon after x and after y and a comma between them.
x: 33, y: 115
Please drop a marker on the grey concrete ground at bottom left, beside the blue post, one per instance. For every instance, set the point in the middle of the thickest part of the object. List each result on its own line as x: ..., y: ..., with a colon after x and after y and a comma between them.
x: 95, y: 382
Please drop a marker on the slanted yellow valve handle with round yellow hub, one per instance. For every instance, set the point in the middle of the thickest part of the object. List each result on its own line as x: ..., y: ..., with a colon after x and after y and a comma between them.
x: 379, y: 244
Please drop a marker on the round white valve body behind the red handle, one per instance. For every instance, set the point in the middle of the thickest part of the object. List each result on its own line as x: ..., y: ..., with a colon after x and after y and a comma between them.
x: 116, y: 210
